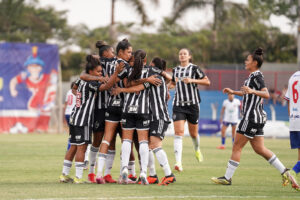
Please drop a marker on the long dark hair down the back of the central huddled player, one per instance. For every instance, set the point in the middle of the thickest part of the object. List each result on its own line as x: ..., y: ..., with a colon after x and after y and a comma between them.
x: 139, y: 57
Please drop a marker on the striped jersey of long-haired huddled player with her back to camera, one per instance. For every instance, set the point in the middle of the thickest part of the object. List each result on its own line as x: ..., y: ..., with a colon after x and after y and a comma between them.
x: 138, y: 103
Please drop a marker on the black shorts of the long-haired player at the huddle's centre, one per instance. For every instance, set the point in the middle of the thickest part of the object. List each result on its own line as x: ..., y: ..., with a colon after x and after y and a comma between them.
x: 135, y: 121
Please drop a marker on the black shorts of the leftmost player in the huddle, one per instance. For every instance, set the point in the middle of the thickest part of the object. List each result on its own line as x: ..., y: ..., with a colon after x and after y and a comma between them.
x: 80, y: 135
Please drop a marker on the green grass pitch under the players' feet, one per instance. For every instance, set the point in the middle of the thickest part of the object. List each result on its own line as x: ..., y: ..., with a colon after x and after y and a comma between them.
x: 31, y: 164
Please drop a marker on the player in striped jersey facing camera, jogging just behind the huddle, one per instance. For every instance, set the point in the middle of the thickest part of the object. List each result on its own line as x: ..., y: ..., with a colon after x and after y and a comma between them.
x: 186, y: 79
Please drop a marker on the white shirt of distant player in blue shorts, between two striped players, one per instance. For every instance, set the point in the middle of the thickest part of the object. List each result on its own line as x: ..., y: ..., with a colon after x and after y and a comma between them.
x: 231, y: 112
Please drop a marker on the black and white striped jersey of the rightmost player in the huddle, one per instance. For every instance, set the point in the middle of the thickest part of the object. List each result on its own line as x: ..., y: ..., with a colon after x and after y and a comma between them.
x: 159, y: 100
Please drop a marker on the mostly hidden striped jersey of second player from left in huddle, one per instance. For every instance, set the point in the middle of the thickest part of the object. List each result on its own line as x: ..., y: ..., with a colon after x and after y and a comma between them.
x: 102, y: 98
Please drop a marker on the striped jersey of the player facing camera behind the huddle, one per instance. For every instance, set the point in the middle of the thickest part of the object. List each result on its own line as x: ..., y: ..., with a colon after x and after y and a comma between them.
x: 186, y: 94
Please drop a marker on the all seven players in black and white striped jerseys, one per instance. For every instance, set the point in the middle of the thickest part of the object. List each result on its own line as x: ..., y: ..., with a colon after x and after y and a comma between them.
x: 120, y: 94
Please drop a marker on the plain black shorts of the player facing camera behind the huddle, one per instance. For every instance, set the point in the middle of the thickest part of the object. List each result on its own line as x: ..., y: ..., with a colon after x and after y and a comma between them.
x: 189, y: 113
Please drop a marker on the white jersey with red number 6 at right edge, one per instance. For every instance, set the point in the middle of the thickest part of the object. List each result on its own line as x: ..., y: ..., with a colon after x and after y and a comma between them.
x: 292, y: 95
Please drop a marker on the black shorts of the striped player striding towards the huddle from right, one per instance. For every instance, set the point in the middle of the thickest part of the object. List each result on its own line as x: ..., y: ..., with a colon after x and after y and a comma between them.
x: 250, y: 129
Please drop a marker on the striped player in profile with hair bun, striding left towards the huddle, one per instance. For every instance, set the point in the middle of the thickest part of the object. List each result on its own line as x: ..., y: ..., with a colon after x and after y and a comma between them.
x: 254, y: 118
